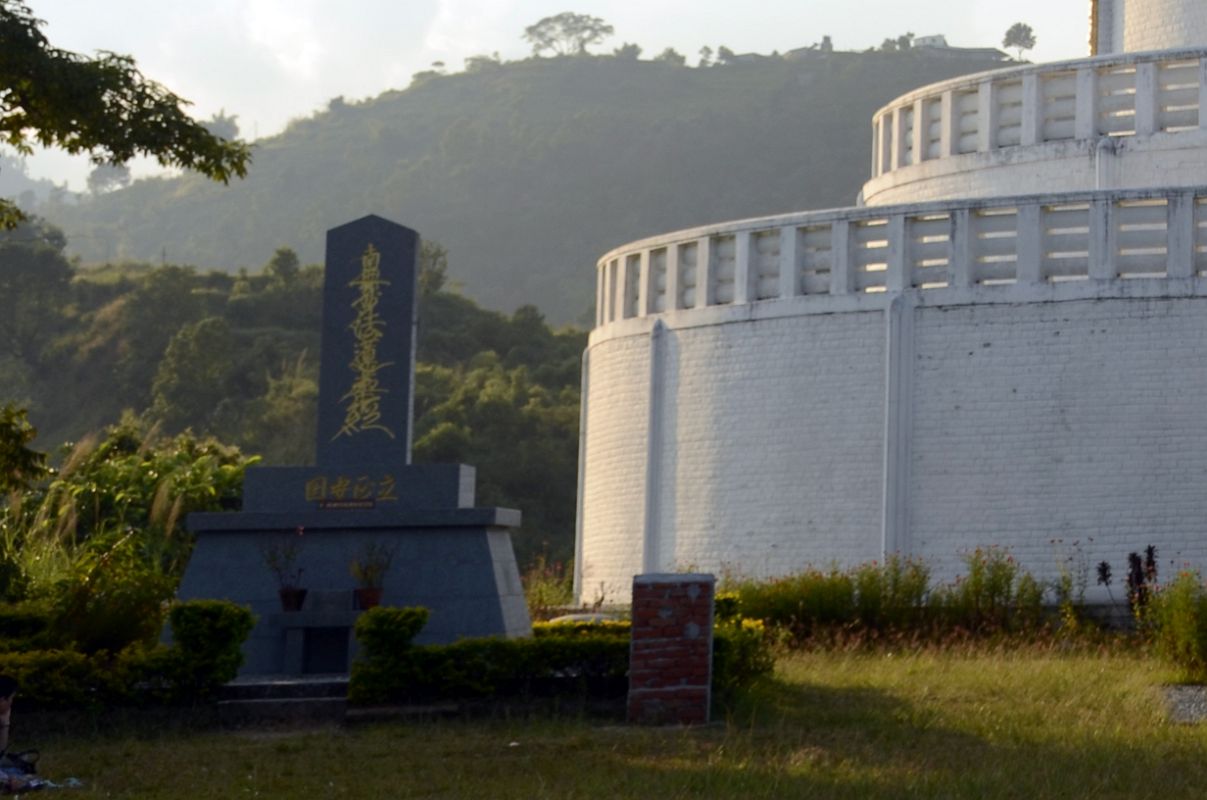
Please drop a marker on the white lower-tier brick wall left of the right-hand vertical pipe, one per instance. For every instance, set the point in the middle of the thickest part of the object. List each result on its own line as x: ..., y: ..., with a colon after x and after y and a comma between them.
x: 772, y: 443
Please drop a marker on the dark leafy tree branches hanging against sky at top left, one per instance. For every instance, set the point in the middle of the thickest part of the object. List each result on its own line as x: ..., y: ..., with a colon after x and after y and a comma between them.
x: 98, y: 106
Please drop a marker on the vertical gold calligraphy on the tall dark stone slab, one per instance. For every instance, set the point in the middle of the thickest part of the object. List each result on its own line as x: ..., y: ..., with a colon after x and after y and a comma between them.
x: 363, y: 401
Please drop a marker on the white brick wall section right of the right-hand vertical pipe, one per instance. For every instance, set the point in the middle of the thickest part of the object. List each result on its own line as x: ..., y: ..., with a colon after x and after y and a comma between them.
x: 1062, y: 421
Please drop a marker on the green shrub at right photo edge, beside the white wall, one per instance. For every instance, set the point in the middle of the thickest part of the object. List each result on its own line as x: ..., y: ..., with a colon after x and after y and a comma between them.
x: 1179, y: 615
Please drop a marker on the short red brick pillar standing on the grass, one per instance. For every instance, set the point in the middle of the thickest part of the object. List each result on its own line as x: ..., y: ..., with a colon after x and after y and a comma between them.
x: 670, y: 663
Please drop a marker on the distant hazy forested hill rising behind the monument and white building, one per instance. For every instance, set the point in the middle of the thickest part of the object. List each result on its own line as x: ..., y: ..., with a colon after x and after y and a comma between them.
x: 528, y: 172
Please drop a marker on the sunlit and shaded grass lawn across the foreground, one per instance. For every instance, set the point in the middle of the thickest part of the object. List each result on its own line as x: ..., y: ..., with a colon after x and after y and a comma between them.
x: 831, y: 726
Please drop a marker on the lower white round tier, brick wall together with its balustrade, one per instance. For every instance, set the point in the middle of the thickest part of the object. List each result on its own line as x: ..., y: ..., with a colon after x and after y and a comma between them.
x: 837, y: 387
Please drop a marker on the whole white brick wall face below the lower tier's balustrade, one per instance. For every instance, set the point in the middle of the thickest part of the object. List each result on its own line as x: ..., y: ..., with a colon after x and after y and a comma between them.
x: 1031, y: 422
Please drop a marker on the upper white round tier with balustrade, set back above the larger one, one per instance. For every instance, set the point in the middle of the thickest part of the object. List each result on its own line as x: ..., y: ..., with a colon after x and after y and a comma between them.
x: 1112, y: 122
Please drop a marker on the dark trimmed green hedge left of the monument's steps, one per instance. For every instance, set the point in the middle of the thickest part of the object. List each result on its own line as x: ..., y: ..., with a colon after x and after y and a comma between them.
x: 207, y: 653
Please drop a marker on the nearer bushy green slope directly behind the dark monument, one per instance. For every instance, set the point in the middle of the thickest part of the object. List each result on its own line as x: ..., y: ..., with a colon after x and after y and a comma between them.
x: 168, y: 349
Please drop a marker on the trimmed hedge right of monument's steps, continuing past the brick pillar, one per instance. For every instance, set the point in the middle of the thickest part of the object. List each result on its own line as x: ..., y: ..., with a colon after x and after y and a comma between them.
x: 576, y: 659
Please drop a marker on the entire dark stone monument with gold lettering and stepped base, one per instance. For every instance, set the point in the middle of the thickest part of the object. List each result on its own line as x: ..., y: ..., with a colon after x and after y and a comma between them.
x: 364, y: 492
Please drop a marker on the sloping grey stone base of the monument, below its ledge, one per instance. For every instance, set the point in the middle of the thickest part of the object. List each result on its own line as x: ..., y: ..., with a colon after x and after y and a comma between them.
x: 465, y: 575
